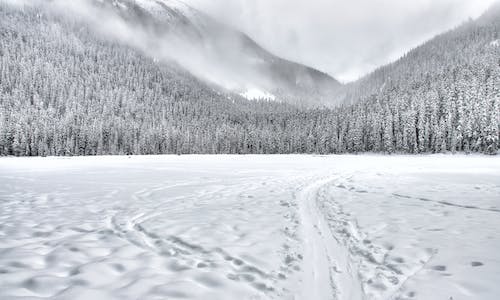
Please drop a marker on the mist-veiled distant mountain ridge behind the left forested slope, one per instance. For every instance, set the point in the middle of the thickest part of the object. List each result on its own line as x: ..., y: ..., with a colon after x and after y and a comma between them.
x: 175, y: 33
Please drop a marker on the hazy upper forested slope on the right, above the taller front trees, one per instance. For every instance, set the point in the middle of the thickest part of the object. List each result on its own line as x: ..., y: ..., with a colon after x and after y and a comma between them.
x: 471, y: 45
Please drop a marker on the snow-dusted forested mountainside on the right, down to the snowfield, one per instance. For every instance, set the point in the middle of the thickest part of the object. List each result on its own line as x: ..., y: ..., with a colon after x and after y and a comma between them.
x: 441, y: 96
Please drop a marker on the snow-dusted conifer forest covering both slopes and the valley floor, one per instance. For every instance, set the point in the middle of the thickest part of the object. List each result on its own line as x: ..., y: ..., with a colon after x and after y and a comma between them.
x: 65, y: 90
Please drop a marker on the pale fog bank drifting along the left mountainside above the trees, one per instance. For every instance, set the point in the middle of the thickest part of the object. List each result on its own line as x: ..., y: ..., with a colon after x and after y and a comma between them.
x: 182, y: 47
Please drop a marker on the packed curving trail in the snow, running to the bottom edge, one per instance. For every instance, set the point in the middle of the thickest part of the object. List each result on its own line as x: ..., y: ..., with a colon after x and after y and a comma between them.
x: 328, y: 271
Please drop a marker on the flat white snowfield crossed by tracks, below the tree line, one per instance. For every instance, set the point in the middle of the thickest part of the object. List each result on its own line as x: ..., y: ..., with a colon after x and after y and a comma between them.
x: 250, y: 227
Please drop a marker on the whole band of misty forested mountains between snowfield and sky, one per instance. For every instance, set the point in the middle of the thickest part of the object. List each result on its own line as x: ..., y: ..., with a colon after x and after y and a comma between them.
x: 90, y: 77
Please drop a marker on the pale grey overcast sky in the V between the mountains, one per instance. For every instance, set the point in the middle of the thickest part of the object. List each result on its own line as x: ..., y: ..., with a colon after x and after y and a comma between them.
x: 345, y: 38
